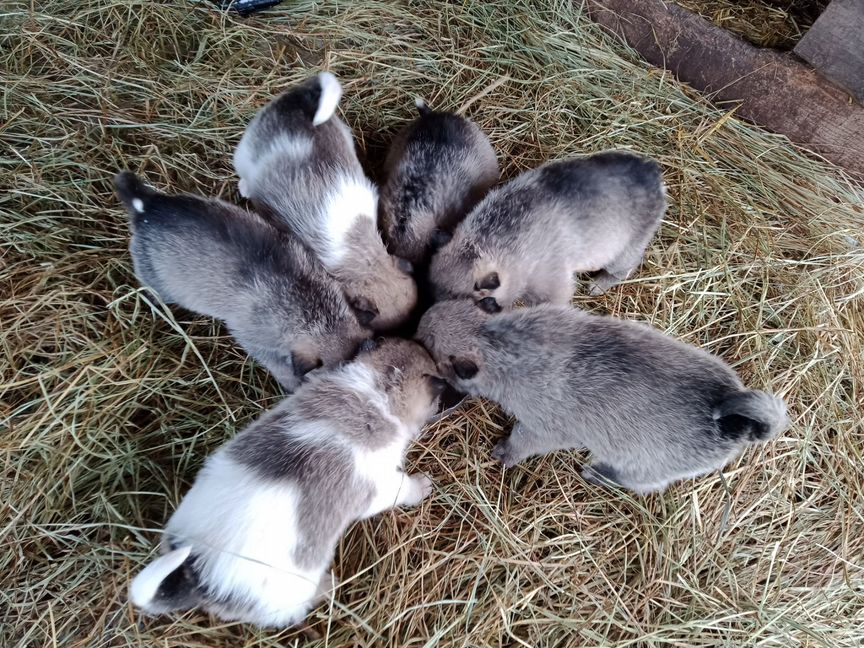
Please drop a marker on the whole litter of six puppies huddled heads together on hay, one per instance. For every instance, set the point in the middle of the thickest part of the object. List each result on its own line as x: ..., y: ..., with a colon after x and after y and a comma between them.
x: 305, y: 280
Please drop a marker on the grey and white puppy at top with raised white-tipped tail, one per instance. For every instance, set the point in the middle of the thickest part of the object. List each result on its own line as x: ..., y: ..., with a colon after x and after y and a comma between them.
x: 298, y: 165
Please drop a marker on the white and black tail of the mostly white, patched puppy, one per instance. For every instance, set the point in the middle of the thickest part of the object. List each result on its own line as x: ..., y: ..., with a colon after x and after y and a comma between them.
x: 168, y: 583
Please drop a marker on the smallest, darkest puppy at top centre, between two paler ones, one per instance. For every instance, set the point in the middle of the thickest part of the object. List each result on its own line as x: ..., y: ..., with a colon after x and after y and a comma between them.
x: 438, y: 167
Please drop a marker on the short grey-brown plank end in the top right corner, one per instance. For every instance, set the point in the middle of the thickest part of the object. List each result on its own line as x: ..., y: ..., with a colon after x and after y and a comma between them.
x: 834, y: 45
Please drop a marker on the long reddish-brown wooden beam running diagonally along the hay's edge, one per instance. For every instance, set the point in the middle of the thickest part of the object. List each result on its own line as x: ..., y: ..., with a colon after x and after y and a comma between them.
x: 773, y: 89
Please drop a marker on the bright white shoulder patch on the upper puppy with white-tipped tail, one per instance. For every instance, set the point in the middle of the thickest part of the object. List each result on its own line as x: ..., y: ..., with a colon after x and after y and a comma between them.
x: 351, y: 198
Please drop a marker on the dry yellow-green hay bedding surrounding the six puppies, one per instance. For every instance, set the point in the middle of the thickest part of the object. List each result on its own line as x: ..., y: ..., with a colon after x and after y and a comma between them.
x: 110, y: 402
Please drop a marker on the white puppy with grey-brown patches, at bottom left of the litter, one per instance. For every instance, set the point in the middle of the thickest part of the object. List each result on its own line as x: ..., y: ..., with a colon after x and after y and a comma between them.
x: 254, y: 537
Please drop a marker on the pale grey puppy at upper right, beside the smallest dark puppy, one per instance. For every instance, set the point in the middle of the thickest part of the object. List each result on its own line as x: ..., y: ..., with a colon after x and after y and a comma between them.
x: 527, y: 238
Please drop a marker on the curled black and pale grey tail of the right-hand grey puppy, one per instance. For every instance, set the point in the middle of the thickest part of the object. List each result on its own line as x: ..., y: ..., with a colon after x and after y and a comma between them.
x: 753, y: 414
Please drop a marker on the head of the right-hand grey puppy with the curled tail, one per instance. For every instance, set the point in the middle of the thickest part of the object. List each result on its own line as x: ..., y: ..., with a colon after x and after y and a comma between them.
x: 451, y: 331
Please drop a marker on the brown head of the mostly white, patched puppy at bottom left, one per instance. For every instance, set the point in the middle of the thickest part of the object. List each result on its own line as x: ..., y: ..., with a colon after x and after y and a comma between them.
x: 407, y: 375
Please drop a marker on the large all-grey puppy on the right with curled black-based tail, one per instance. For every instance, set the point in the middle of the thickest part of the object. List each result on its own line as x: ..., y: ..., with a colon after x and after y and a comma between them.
x: 650, y: 409
